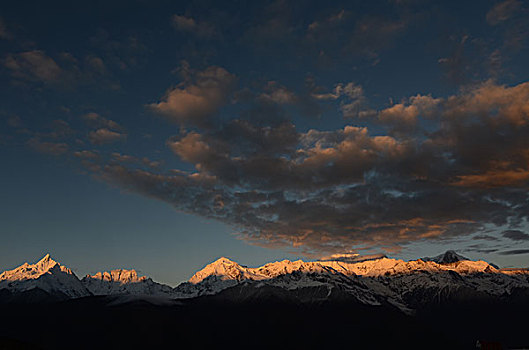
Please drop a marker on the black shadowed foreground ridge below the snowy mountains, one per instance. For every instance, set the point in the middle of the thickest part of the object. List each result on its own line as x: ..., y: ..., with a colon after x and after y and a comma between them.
x: 272, y: 319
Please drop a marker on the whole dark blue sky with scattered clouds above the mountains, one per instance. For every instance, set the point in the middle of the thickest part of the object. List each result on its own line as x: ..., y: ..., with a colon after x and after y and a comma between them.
x: 161, y: 135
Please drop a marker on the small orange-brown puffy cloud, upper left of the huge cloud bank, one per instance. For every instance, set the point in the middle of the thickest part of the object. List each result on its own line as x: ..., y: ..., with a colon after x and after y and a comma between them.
x: 198, y: 98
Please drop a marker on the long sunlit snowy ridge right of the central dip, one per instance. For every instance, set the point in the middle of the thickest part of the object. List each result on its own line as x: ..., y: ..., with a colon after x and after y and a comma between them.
x: 404, y: 284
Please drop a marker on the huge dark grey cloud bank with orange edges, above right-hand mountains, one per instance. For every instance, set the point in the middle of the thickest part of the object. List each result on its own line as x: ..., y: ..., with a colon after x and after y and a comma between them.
x: 349, y: 188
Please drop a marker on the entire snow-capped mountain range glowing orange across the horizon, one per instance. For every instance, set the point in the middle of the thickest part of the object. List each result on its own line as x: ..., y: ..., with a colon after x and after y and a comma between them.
x: 373, y: 280
